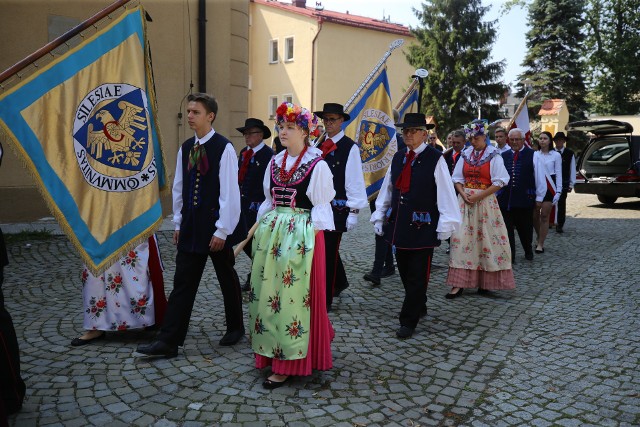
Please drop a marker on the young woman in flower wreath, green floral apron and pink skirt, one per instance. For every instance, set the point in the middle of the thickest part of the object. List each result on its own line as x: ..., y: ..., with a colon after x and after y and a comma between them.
x: 289, y: 326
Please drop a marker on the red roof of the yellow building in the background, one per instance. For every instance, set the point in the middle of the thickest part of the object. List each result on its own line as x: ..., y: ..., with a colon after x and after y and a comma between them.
x: 338, y: 17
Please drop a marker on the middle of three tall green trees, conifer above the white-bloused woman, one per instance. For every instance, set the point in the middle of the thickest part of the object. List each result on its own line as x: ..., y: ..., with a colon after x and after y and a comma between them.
x: 554, y: 65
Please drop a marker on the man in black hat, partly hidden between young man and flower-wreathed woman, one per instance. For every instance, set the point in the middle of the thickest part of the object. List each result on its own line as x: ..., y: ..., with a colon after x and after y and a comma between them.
x: 252, y: 164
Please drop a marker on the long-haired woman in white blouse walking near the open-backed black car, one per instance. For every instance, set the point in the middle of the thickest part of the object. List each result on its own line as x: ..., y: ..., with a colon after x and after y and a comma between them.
x: 548, y: 164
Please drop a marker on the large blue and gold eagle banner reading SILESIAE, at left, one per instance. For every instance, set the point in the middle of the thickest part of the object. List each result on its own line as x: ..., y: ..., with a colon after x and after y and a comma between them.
x: 85, y: 127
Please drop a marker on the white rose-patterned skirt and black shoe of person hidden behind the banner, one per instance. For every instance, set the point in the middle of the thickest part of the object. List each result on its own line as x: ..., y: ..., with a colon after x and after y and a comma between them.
x: 128, y: 295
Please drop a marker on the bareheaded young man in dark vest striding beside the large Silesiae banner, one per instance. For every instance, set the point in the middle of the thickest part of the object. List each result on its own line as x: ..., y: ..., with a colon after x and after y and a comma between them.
x: 206, y: 211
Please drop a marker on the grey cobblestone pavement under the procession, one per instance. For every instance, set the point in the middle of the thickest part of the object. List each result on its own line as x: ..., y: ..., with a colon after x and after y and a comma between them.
x: 563, y: 349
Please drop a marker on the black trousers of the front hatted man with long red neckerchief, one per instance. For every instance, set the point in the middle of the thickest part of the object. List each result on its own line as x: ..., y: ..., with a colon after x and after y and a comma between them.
x: 414, y: 267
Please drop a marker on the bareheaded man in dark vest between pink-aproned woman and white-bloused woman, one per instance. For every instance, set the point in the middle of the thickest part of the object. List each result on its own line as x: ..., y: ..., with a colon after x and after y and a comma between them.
x: 518, y: 197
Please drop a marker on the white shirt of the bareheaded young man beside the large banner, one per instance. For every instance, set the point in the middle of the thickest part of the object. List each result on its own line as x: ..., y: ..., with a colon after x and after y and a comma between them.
x: 229, y: 199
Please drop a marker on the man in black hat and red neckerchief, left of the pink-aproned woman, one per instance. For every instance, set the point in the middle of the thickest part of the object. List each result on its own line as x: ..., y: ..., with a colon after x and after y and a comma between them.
x: 418, y: 194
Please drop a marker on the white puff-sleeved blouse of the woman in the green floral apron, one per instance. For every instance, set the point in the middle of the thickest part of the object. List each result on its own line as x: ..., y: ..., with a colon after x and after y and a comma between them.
x: 320, y: 190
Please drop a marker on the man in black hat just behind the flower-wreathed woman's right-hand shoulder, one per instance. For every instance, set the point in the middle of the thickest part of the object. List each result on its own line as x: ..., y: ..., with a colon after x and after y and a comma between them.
x: 343, y: 157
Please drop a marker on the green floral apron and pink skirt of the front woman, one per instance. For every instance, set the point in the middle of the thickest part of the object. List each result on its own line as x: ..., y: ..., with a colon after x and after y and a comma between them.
x: 289, y: 325
